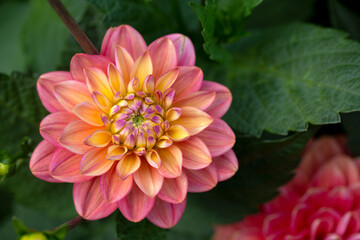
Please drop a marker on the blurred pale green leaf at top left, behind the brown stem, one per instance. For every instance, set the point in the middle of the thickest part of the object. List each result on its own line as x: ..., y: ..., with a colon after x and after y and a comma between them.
x: 44, y: 34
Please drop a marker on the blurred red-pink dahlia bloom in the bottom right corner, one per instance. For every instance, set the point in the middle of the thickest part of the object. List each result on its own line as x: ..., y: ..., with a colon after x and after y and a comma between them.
x: 321, y: 202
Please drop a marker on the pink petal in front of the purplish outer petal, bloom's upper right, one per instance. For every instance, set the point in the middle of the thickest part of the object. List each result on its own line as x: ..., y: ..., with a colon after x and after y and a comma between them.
x: 163, y: 56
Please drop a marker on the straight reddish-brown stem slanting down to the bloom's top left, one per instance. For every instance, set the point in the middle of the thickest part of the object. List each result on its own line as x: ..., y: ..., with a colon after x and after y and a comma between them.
x: 74, y: 28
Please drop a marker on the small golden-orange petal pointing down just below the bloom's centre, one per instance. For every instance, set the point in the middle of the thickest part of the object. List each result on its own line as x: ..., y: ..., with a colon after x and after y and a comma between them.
x: 128, y: 165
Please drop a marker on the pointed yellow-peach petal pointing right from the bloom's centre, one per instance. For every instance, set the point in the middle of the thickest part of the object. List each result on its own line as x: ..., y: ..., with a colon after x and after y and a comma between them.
x: 194, y: 120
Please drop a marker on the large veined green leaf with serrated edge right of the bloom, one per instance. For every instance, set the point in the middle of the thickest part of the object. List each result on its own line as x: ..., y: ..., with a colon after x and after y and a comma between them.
x: 284, y: 78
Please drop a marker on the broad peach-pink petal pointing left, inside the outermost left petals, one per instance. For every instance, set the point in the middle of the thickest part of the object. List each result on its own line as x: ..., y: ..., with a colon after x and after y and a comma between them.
x: 74, y: 135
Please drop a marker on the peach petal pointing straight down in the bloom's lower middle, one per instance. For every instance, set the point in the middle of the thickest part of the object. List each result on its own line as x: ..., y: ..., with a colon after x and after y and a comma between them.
x: 148, y: 179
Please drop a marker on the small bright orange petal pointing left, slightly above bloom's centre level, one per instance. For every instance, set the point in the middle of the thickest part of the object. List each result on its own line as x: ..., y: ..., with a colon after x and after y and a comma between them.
x: 89, y: 113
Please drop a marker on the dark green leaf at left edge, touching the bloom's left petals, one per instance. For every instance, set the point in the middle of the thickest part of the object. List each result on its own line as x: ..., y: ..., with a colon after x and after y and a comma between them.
x: 20, y: 110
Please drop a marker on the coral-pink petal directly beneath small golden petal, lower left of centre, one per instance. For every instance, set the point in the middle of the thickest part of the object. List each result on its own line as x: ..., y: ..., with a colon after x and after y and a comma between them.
x: 112, y: 187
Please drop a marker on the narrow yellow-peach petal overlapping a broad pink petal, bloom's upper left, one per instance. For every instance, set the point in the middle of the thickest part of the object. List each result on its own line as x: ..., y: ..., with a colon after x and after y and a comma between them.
x: 97, y: 80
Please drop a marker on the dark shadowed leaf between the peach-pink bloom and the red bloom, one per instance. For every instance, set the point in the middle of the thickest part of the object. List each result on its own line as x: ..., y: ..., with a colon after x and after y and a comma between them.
x: 264, y: 165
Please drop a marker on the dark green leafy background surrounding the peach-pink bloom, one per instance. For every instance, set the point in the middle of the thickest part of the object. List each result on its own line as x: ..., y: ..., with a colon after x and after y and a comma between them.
x: 285, y: 76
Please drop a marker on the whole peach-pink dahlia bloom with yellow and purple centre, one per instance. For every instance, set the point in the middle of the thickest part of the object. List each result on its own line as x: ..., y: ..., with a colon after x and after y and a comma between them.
x: 134, y: 128
